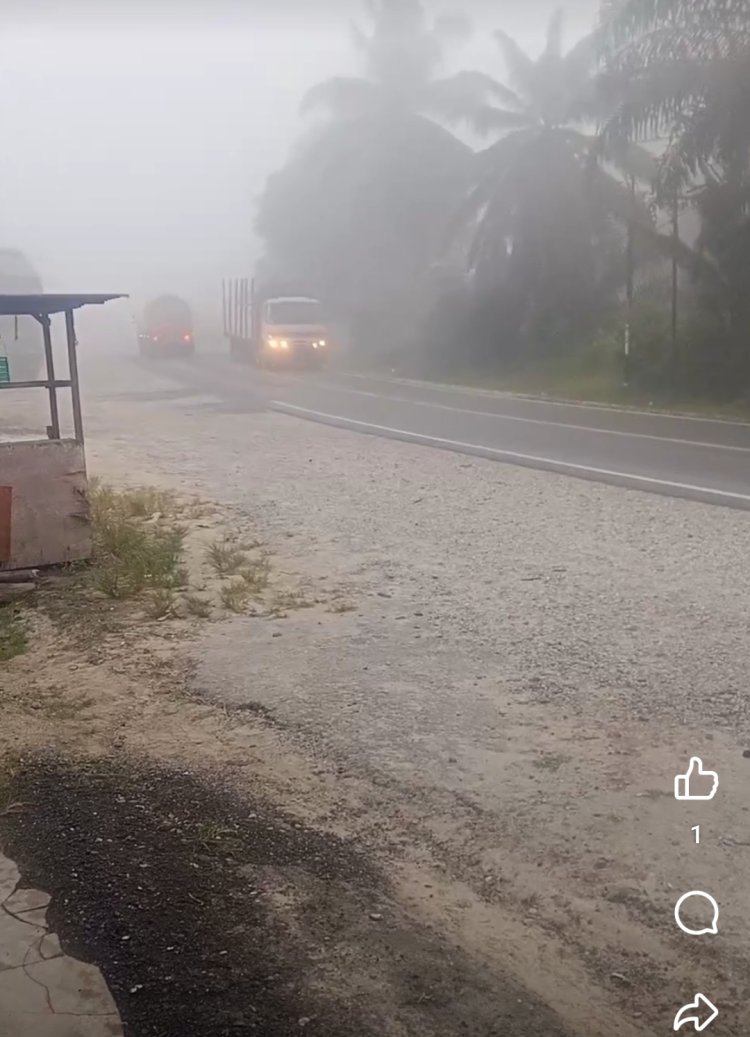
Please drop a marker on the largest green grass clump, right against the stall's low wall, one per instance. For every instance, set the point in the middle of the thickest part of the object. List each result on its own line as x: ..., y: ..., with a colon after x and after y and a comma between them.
x: 136, y: 548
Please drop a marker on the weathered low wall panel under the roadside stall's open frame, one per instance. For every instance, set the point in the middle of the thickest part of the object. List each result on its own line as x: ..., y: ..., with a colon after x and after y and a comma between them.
x: 49, y: 509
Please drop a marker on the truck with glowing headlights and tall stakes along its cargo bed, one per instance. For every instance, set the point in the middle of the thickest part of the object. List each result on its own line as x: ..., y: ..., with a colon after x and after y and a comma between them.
x: 272, y: 330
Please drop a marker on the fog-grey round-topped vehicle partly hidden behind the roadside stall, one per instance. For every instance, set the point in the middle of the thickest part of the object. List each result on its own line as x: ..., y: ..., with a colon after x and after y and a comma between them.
x: 21, y: 339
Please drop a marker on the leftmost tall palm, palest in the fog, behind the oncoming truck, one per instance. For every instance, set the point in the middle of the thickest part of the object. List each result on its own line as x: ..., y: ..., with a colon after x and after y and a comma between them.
x: 362, y: 207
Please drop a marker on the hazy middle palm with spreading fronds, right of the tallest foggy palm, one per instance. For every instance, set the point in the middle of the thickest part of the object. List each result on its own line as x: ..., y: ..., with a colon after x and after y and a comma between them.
x: 546, y: 217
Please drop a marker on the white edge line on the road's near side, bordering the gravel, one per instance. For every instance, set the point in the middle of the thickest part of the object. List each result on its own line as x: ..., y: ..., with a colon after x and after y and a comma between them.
x: 511, y: 455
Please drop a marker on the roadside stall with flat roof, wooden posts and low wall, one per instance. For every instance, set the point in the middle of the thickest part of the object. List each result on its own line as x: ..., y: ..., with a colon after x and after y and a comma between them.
x: 44, y: 505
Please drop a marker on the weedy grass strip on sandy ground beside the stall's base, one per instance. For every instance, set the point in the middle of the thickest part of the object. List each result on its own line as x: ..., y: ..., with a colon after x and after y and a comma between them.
x: 155, y: 557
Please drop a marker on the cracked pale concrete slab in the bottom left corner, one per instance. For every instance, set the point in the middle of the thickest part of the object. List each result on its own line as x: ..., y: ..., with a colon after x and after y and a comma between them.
x: 44, y: 993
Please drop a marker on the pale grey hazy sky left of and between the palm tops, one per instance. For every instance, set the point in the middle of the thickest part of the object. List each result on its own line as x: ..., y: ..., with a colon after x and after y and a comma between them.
x: 135, y: 142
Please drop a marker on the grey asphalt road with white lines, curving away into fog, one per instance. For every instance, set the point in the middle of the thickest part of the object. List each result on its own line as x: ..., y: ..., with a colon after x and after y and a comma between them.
x: 693, y: 458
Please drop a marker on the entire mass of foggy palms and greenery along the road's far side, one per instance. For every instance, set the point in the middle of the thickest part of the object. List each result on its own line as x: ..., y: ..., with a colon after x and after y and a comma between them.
x: 575, y: 221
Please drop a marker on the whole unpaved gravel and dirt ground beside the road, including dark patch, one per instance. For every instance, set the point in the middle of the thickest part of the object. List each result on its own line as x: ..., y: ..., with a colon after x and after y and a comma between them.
x: 461, y: 761
